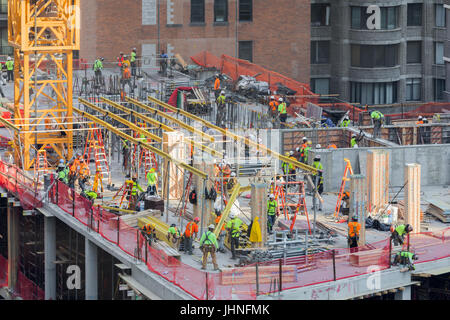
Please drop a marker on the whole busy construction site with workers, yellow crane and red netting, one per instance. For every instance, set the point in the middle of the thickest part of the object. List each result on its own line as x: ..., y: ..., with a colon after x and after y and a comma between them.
x: 107, y: 172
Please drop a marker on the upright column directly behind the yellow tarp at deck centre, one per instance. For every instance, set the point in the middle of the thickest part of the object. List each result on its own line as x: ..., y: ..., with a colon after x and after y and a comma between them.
x: 259, y: 208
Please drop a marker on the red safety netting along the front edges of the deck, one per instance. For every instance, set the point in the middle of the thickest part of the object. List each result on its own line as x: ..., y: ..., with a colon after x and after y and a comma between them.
x: 238, y: 283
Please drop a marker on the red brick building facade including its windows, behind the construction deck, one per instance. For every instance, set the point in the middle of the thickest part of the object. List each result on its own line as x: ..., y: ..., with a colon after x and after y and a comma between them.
x: 274, y: 34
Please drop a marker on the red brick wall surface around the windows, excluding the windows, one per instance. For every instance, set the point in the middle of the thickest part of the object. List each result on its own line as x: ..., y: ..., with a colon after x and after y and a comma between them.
x: 280, y: 32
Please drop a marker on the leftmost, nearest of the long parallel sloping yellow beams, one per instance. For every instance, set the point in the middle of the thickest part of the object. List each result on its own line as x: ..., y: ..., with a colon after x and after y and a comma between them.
x: 195, y: 171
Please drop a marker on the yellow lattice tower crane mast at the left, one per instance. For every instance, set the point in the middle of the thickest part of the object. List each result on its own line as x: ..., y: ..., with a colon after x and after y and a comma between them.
x: 44, y: 34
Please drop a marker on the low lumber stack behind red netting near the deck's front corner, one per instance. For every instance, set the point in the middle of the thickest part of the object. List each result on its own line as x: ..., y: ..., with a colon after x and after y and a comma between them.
x: 247, y: 275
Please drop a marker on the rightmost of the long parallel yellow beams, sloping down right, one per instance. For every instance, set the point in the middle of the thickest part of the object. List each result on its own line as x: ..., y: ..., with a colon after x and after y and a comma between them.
x: 235, y: 136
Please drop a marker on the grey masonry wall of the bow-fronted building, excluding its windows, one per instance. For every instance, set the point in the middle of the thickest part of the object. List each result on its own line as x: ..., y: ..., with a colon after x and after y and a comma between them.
x: 341, y: 36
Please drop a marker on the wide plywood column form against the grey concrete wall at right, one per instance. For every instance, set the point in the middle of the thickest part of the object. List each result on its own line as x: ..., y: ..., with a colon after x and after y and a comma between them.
x: 377, y: 173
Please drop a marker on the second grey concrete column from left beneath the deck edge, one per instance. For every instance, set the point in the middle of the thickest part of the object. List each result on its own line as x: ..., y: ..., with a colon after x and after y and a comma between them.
x: 50, y: 257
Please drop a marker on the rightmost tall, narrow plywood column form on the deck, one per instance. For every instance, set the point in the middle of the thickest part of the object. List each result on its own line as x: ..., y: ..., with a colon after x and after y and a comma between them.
x: 412, y: 195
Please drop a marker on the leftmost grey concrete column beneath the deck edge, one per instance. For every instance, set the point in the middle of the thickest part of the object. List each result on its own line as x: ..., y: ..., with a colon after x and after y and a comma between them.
x: 13, y: 243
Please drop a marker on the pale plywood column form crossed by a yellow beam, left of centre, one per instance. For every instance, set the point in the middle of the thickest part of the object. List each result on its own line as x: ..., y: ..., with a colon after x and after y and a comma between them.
x: 174, y: 146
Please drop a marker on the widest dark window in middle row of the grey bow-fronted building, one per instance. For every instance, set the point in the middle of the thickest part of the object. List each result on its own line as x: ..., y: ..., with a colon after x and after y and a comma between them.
x: 367, y: 56
